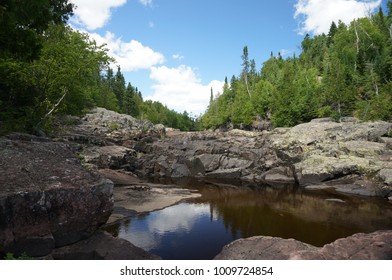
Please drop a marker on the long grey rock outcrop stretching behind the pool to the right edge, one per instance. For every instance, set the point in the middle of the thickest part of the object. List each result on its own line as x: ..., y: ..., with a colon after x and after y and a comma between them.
x: 350, y: 156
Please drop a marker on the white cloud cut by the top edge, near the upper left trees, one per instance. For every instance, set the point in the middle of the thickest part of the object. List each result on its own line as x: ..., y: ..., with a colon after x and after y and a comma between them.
x: 94, y: 14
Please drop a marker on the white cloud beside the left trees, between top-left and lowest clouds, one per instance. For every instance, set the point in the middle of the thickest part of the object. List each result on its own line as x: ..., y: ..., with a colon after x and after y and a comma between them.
x: 132, y: 55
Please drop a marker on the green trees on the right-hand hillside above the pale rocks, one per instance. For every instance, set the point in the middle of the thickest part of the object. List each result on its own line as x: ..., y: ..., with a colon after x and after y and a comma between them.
x: 347, y: 72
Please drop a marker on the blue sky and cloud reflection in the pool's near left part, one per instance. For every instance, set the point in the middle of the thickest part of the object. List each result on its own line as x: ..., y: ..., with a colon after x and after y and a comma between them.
x: 183, y: 231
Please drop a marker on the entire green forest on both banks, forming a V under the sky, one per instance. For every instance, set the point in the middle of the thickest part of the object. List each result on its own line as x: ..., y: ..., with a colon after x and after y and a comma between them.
x: 49, y: 69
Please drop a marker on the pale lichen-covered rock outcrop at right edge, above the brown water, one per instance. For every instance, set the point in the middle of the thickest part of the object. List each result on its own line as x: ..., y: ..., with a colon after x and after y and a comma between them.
x: 322, y: 151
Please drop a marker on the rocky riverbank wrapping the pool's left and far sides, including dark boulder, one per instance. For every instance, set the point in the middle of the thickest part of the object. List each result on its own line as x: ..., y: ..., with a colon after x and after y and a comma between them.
x: 83, y: 160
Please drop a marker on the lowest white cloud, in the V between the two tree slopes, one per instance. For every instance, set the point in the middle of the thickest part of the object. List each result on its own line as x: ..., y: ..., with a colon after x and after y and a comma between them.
x: 180, y: 89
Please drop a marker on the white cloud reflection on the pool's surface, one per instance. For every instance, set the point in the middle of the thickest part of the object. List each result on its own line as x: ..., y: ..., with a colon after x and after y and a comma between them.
x: 178, y: 218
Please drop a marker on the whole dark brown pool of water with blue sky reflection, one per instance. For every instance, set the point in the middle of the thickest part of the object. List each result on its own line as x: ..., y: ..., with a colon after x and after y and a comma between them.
x: 199, y: 228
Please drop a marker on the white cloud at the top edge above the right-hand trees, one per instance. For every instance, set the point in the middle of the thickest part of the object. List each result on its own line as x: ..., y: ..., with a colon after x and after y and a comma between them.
x: 316, y: 16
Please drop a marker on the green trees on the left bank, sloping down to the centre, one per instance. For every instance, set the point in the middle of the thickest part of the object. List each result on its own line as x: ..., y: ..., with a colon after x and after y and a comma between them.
x: 48, y: 68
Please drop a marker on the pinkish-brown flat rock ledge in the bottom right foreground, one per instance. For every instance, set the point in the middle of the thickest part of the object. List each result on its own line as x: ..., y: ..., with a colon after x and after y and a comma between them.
x: 361, y: 246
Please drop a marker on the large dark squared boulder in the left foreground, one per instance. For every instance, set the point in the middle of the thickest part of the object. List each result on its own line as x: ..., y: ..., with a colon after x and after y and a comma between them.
x: 46, y: 198
